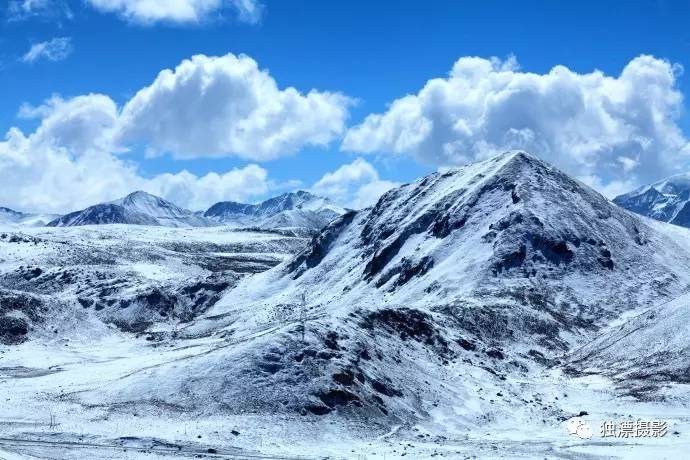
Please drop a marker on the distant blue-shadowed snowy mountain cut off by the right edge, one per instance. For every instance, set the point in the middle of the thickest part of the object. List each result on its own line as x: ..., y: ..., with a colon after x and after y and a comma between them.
x: 667, y: 200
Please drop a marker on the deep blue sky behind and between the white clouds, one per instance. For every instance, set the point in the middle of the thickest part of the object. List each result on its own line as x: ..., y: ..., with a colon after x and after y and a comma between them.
x: 373, y: 53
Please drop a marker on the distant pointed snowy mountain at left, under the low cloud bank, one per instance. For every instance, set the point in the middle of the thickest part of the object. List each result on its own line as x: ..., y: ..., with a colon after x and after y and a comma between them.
x: 139, y: 208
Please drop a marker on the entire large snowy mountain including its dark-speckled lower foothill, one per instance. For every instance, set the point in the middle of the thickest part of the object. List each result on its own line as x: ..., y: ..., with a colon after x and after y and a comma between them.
x: 465, y: 281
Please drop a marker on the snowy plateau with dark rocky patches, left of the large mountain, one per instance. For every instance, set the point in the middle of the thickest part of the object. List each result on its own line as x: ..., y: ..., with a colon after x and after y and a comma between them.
x: 130, y: 276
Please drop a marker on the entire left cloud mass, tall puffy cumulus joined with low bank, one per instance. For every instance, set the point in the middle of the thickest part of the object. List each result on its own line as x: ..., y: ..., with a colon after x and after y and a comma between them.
x: 206, y: 106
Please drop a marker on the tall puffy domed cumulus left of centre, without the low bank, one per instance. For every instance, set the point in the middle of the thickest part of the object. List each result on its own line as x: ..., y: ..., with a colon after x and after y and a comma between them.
x: 218, y: 106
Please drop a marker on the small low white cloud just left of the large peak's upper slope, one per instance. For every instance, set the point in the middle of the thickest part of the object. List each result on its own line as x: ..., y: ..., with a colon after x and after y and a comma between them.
x: 355, y: 185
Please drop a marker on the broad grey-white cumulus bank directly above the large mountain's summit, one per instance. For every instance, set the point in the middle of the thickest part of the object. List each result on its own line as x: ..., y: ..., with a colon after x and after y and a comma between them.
x: 606, y: 129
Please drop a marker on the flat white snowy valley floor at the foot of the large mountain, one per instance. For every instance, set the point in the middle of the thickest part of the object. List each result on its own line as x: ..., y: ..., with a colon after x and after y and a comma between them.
x: 43, y: 417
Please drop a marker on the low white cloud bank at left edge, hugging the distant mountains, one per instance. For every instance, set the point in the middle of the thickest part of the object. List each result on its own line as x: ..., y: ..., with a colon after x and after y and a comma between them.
x: 41, y: 174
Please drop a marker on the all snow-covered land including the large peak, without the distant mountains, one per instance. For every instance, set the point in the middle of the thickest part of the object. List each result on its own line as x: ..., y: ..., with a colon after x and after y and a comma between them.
x: 472, y: 356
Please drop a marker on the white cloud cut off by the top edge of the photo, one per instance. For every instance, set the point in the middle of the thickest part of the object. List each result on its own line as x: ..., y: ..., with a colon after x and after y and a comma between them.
x: 178, y: 11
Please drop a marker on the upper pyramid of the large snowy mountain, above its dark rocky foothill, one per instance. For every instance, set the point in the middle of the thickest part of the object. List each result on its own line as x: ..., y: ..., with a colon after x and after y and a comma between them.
x: 511, y: 222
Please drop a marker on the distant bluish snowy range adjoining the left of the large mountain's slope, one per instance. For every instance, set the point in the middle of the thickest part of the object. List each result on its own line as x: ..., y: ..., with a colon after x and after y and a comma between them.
x: 294, y: 209
